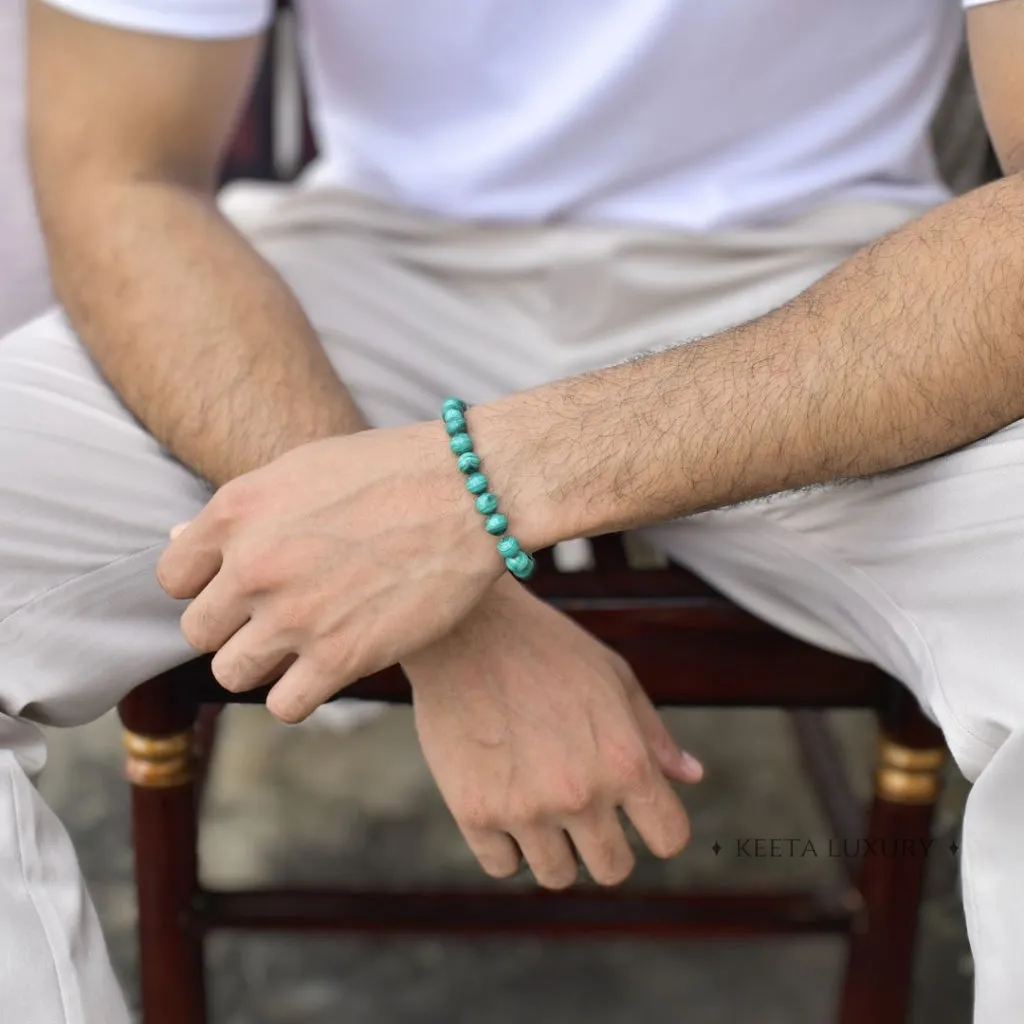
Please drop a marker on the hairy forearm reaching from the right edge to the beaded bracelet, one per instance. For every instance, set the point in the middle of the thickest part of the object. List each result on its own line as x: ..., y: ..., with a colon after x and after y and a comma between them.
x: 913, y: 348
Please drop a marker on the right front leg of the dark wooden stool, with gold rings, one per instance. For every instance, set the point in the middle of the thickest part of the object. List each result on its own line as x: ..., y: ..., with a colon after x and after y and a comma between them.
x: 909, y: 780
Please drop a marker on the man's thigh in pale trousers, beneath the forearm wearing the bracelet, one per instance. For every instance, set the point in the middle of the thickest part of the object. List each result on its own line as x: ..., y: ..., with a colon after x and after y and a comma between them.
x: 919, y: 572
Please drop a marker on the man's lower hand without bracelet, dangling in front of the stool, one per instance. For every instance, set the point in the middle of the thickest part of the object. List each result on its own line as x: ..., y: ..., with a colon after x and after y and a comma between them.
x: 537, y: 736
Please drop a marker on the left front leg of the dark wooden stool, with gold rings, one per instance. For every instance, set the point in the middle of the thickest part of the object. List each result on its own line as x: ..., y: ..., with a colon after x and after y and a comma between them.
x: 161, y: 764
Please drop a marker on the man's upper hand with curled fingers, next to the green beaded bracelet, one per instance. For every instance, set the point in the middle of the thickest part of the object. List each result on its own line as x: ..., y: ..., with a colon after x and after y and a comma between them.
x: 338, y: 560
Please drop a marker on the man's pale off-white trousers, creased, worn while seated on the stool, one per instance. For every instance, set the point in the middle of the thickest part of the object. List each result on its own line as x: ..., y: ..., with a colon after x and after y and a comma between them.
x: 920, y: 572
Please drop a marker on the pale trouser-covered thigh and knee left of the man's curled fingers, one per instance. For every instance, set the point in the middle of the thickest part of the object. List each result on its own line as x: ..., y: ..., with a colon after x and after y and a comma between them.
x: 87, y: 500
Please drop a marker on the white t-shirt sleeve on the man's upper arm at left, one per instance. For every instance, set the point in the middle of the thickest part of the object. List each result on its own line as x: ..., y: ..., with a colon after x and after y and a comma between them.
x: 191, y: 19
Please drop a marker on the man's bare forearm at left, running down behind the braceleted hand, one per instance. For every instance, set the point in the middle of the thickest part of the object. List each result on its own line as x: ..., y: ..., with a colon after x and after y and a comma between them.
x: 199, y: 336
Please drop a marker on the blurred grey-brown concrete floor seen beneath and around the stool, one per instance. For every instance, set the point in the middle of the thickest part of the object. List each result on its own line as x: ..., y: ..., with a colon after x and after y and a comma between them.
x: 310, y: 805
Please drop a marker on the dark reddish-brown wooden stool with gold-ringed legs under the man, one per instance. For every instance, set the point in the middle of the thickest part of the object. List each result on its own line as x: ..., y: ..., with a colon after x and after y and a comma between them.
x: 690, y: 648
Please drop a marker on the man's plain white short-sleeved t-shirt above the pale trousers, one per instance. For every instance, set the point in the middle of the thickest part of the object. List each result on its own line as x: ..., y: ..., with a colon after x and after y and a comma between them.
x: 694, y: 114
